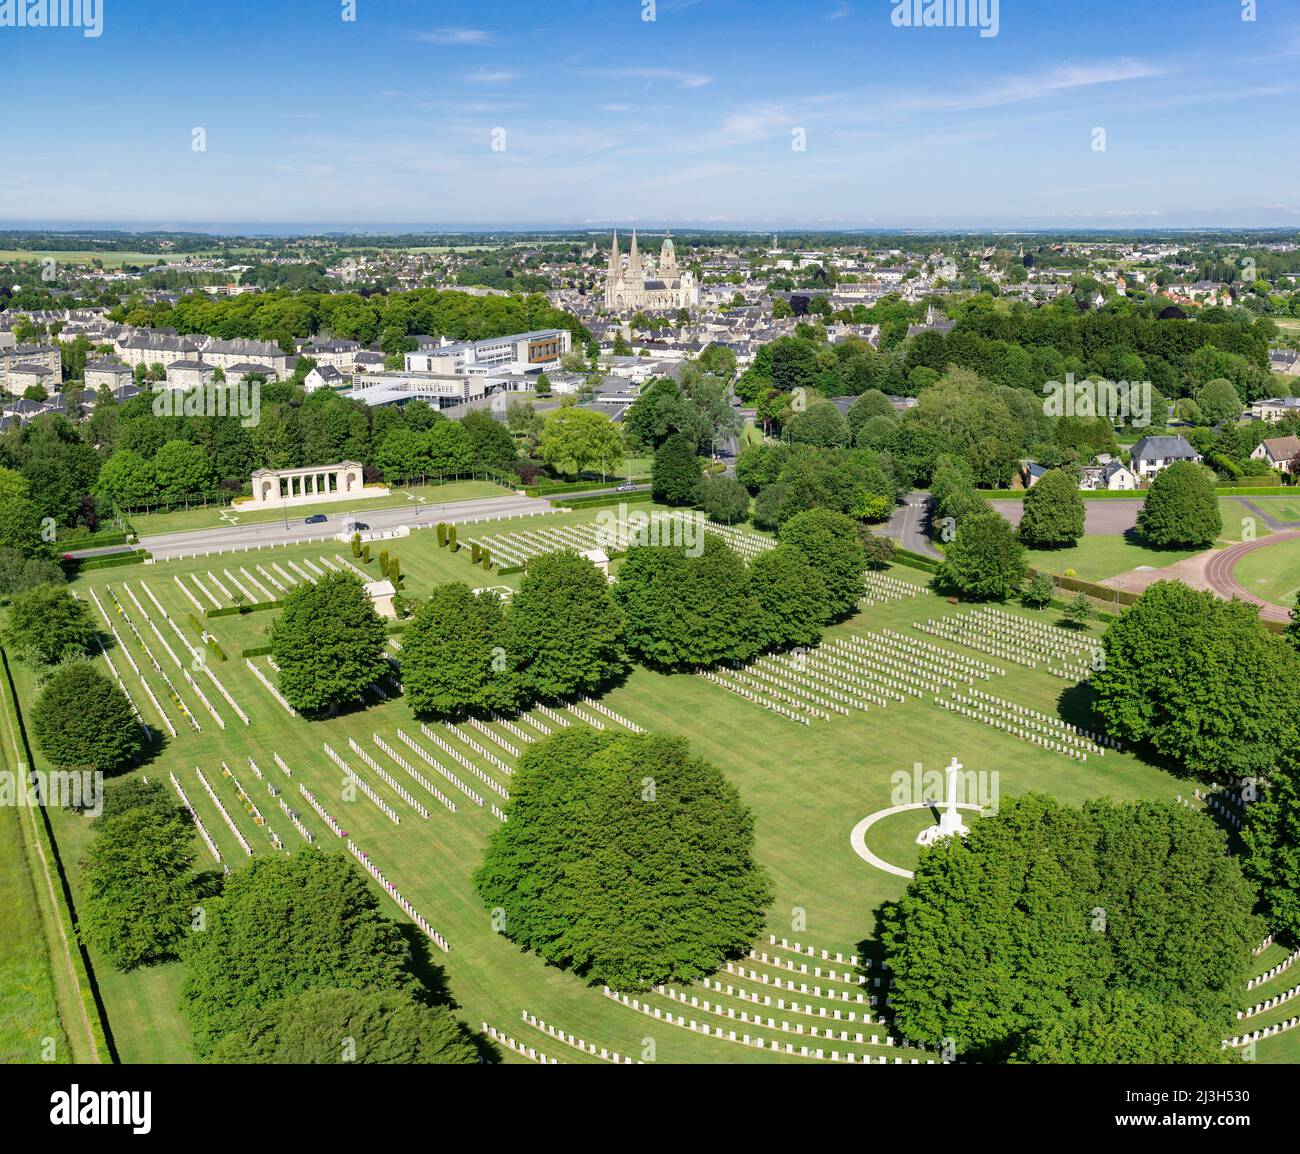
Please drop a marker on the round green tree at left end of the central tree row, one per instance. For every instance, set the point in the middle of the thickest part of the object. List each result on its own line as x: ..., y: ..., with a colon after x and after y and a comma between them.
x: 328, y: 644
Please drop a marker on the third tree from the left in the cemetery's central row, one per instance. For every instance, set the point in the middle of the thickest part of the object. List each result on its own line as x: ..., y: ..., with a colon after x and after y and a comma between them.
x: 564, y: 632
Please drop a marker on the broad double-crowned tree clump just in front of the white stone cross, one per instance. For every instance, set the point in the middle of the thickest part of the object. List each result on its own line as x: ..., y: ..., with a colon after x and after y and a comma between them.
x: 1043, y: 908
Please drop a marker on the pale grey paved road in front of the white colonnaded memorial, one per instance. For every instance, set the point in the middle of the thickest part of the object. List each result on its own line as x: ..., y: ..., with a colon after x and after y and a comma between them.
x: 231, y: 537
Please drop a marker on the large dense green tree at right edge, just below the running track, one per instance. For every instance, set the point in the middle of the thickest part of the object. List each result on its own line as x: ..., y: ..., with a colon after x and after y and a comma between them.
x: 1201, y: 680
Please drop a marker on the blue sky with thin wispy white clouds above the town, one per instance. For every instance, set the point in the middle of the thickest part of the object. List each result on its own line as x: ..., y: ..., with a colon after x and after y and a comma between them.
x: 683, y: 120
